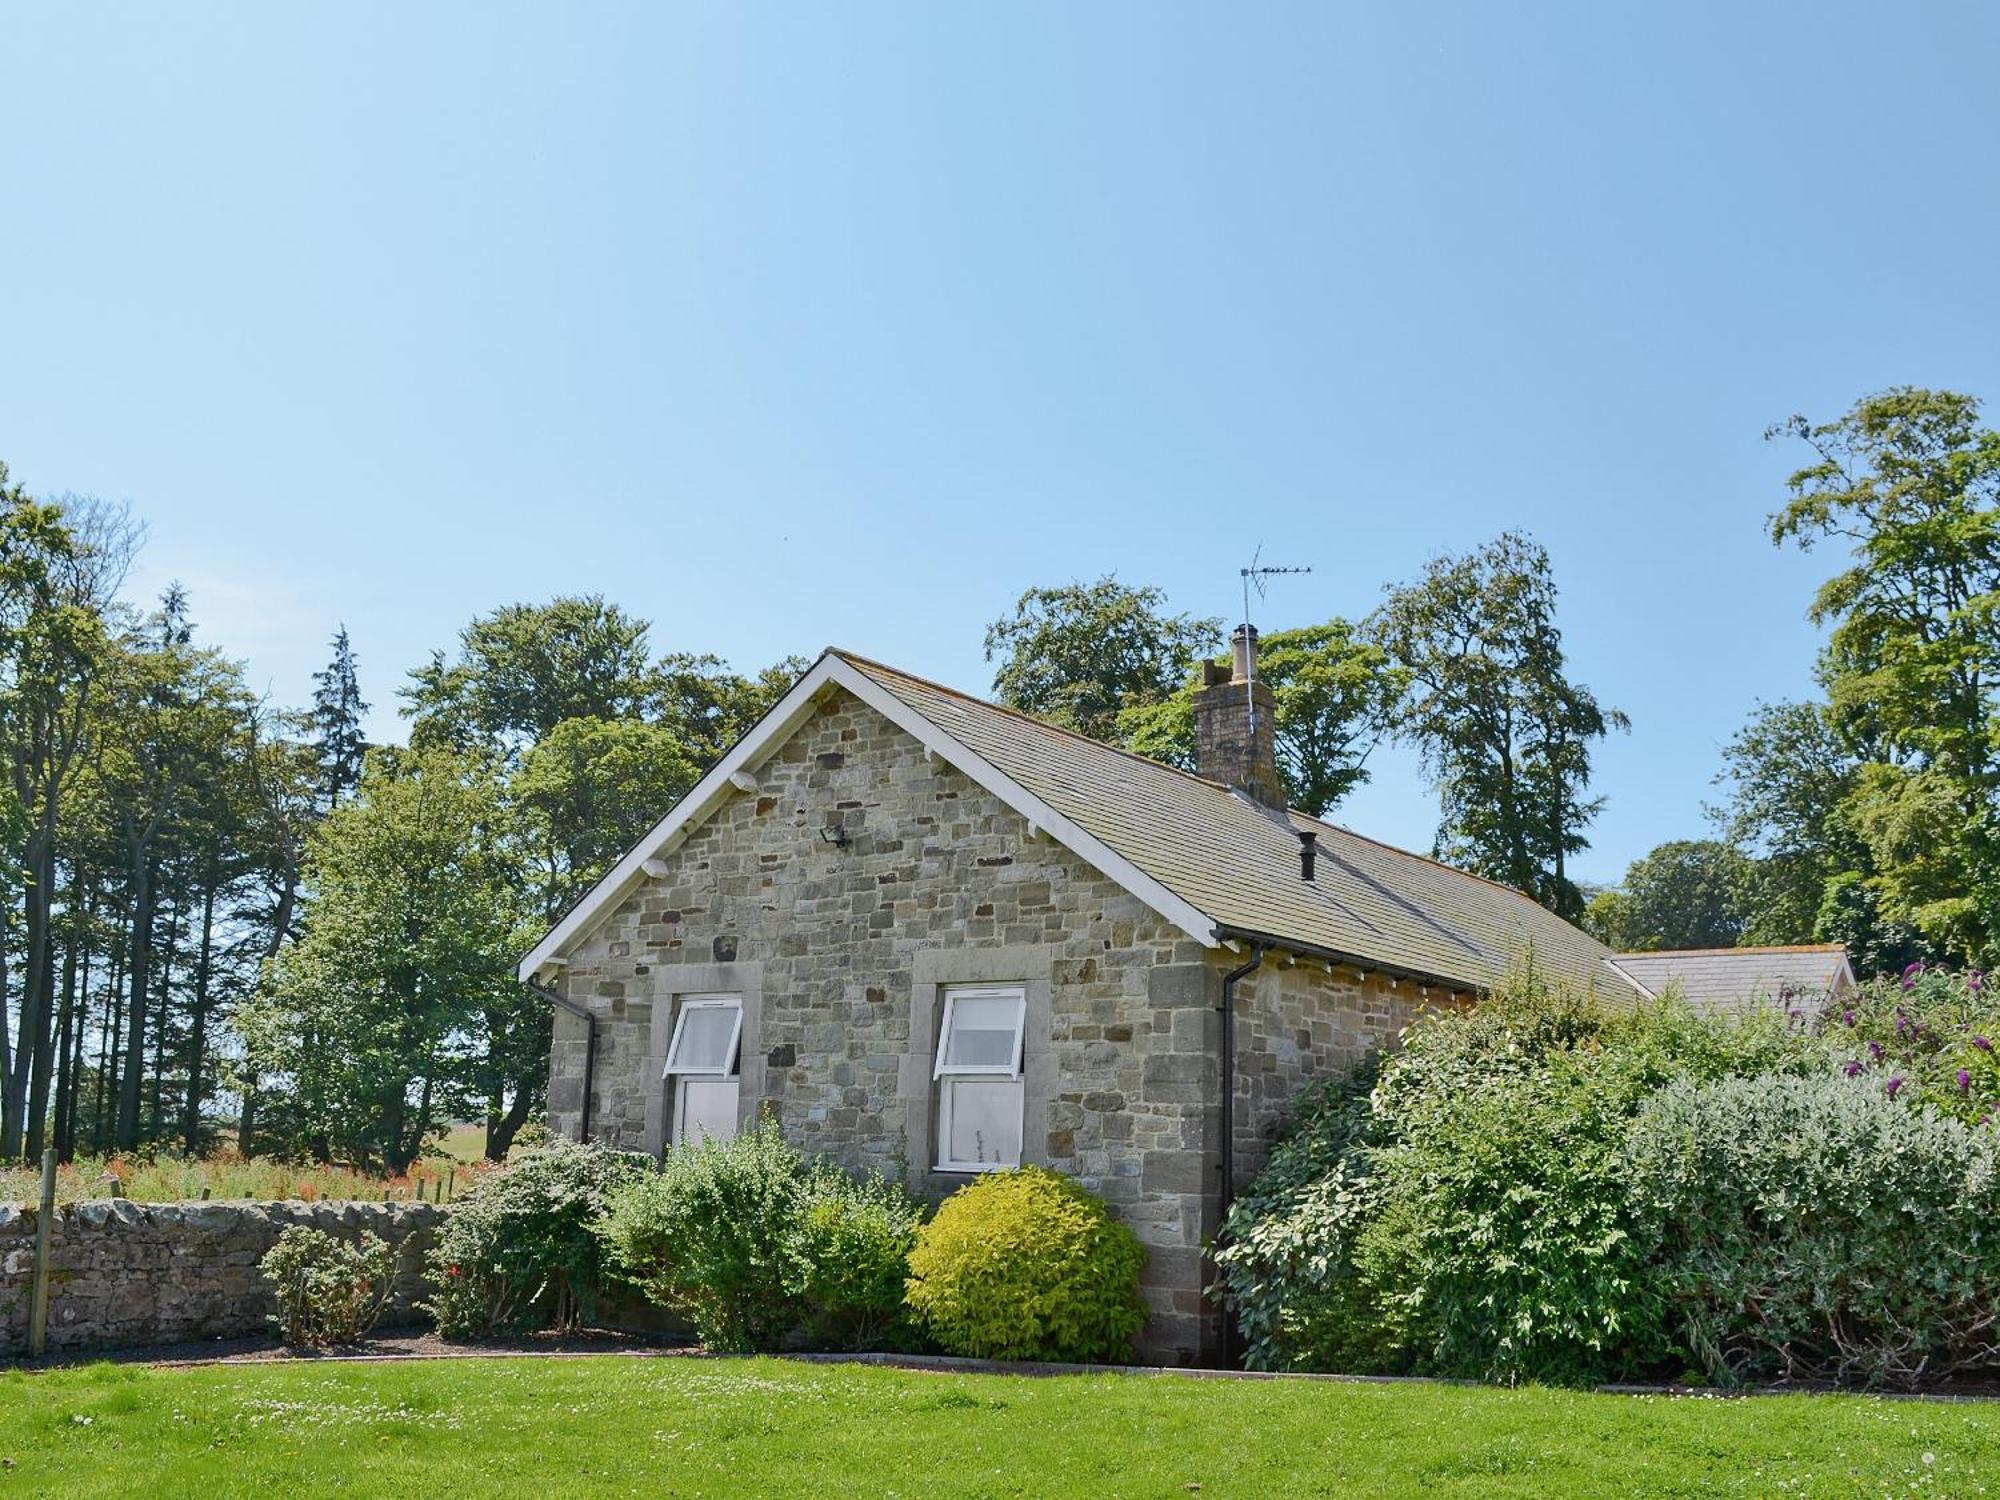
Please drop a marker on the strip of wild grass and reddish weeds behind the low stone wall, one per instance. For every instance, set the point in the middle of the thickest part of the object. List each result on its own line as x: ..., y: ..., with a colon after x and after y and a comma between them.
x: 179, y: 1179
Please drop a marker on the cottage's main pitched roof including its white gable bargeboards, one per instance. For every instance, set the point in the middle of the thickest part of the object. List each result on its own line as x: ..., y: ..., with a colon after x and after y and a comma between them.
x: 1195, y: 851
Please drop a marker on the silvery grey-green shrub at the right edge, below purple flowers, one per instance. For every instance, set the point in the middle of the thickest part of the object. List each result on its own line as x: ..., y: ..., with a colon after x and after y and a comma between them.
x: 1821, y: 1229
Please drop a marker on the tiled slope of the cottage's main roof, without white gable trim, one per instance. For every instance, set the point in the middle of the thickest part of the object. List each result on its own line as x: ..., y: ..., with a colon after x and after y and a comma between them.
x: 1239, y: 863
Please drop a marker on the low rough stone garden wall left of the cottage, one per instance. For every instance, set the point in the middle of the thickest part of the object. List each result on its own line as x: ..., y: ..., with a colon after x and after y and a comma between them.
x: 129, y: 1275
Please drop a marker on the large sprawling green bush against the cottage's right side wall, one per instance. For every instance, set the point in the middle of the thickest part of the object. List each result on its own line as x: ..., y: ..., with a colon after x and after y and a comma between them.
x: 1463, y: 1211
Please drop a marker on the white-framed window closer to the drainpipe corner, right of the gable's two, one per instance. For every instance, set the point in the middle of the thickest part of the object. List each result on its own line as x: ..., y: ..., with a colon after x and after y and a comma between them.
x: 981, y: 1093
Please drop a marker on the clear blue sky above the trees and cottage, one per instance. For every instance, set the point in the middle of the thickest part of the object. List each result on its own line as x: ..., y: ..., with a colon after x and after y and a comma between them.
x: 805, y: 325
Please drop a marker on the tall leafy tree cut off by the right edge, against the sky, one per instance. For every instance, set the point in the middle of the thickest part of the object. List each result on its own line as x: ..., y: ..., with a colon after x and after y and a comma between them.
x: 1909, y: 483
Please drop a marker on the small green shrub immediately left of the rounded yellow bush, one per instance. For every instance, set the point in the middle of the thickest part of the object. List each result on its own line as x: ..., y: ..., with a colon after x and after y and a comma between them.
x: 849, y: 1257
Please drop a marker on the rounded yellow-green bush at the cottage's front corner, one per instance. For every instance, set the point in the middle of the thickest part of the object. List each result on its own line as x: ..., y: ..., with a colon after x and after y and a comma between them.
x: 1027, y: 1265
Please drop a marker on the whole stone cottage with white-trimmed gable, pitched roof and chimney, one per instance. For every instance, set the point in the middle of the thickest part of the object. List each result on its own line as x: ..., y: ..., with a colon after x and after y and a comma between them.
x: 937, y: 937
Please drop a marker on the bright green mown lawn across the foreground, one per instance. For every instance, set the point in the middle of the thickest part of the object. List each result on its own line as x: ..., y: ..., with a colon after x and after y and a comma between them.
x: 683, y: 1427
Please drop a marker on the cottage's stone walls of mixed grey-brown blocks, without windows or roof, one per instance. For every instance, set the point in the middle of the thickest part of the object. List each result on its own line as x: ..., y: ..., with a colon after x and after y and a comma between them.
x: 841, y: 957
